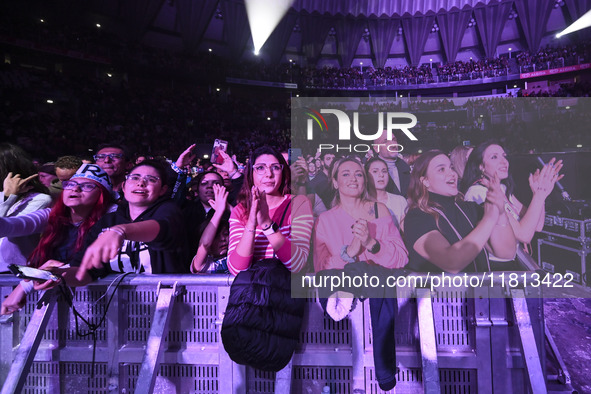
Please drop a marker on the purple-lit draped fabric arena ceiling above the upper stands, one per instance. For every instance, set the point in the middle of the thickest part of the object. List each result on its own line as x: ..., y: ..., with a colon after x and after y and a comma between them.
x: 350, y: 25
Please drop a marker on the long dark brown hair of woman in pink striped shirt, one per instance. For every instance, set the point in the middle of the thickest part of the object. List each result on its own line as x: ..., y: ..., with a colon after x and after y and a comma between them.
x: 245, y: 194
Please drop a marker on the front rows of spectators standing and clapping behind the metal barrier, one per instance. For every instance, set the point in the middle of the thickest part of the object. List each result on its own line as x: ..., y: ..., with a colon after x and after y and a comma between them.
x: 113, y: 214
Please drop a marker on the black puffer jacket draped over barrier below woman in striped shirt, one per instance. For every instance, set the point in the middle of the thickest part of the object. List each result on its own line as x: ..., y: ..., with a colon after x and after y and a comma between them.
x: 262, y: 322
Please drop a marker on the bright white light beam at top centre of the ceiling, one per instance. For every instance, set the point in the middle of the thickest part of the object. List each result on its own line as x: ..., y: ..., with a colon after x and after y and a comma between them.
x: 263, y: 18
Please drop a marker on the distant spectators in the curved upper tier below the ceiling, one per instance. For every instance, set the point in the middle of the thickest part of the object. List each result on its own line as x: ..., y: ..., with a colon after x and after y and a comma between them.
x: 83, y: 42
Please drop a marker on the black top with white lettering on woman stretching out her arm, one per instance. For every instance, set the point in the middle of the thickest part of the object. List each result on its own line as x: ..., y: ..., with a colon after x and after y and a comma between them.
x: 166, y: 254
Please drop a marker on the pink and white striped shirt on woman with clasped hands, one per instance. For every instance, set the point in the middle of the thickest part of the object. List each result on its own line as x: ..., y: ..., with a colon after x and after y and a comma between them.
x: 296, y: 228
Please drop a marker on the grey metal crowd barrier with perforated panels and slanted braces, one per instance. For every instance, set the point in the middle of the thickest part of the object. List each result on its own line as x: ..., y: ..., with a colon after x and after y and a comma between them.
x: 161, y: 335
